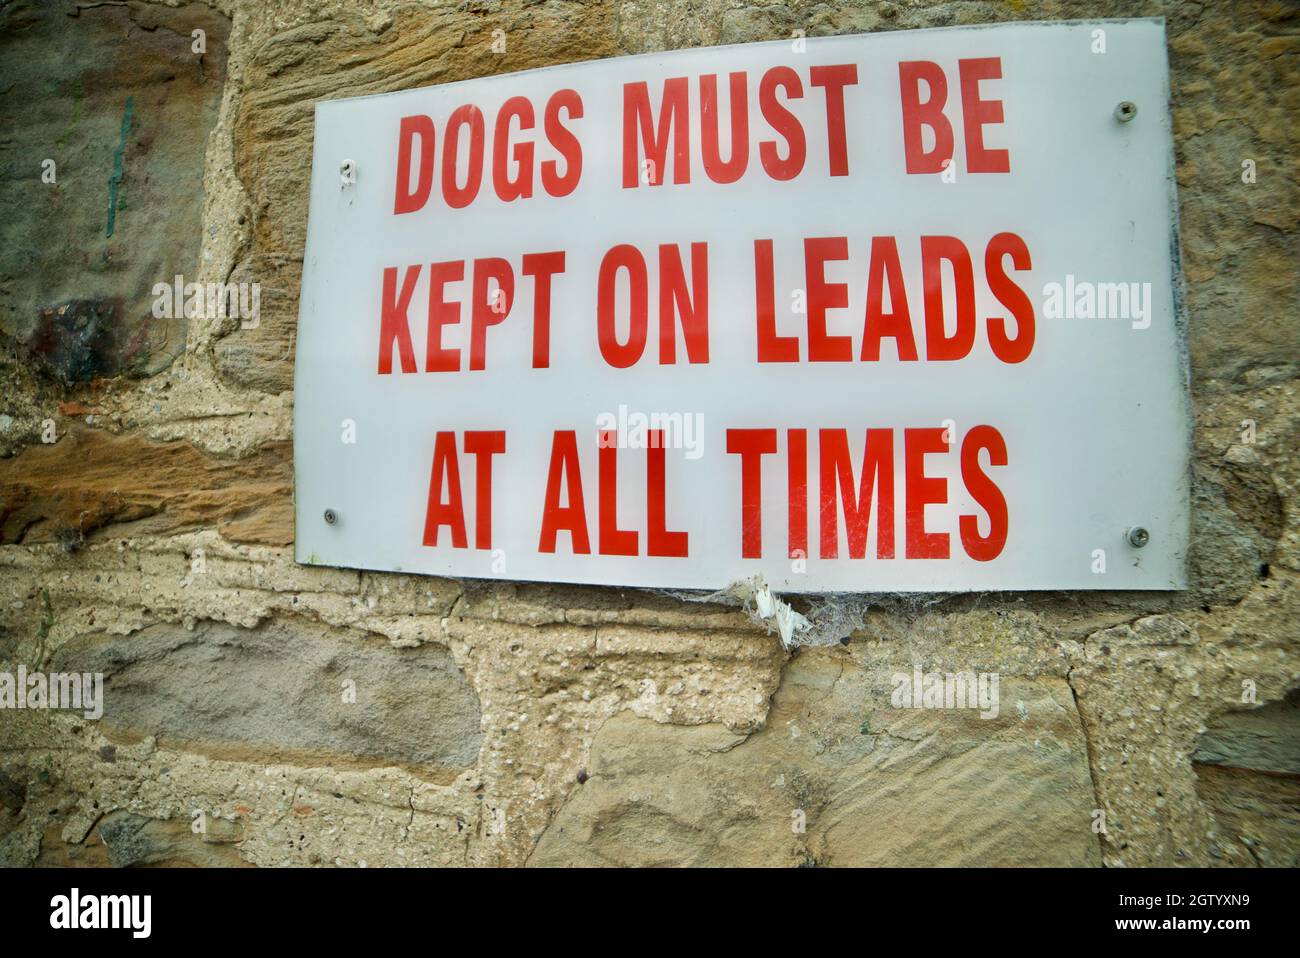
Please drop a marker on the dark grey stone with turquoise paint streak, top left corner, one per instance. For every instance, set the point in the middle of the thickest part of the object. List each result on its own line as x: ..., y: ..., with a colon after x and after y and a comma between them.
x: 107, y: 111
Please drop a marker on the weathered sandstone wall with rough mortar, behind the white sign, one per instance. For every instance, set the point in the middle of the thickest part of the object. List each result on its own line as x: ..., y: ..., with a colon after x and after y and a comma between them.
x: 146, y: 519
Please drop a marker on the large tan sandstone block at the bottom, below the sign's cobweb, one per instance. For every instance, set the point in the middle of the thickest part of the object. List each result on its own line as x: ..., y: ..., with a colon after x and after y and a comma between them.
x: 870, y: 784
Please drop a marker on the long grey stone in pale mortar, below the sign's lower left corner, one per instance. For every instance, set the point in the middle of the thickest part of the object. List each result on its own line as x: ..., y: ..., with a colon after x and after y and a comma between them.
x: 280, y: 695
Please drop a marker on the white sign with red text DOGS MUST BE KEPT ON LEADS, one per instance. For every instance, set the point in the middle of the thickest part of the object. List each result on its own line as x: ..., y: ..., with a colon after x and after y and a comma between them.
x: 857, y: 314
